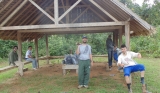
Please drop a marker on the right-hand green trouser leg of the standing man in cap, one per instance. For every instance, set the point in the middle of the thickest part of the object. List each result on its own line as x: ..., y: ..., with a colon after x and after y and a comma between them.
x: 86, y: 72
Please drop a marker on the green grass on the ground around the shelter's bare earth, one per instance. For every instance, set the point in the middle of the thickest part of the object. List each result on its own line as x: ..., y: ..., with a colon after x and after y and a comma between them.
x: 61, y: 84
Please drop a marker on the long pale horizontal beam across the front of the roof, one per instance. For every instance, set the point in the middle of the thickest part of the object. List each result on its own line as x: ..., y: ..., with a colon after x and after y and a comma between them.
x: 63, y: 25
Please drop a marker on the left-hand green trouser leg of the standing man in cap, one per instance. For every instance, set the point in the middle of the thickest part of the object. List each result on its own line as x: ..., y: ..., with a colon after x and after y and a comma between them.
x: 81, y: 72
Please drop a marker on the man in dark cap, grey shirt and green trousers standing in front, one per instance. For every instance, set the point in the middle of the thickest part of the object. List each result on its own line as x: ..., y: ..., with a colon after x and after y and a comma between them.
x: 85, y: 60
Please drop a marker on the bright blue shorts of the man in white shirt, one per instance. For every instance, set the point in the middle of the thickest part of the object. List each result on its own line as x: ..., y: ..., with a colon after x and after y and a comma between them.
x: 135, y: 68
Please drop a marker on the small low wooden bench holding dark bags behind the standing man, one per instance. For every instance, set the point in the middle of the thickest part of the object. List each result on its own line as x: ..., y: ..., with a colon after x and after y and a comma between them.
x: 66, y: 66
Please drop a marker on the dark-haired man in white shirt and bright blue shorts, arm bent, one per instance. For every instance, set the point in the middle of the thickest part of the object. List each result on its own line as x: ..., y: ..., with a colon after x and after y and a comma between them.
x: 125, y: 60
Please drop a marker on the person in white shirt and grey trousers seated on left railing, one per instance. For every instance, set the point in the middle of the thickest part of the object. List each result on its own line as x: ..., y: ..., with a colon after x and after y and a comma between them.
x: 29, y: 58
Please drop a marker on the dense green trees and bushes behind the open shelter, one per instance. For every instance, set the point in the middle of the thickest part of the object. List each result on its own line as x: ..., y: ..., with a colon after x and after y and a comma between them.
x: 61, y: 44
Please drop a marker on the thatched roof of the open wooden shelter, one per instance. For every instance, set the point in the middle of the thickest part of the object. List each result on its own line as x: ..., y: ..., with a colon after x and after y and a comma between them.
x: 29, y: 15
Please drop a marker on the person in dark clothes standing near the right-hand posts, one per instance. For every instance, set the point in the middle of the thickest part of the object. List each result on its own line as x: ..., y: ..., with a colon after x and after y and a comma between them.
x: 110, y: 46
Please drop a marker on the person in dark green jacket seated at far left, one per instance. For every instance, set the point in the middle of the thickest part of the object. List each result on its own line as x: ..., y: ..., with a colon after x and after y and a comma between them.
x: 13, y: 56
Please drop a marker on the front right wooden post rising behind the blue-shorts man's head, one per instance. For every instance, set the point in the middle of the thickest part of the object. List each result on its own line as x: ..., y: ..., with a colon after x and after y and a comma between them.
x: 127, y: 35
